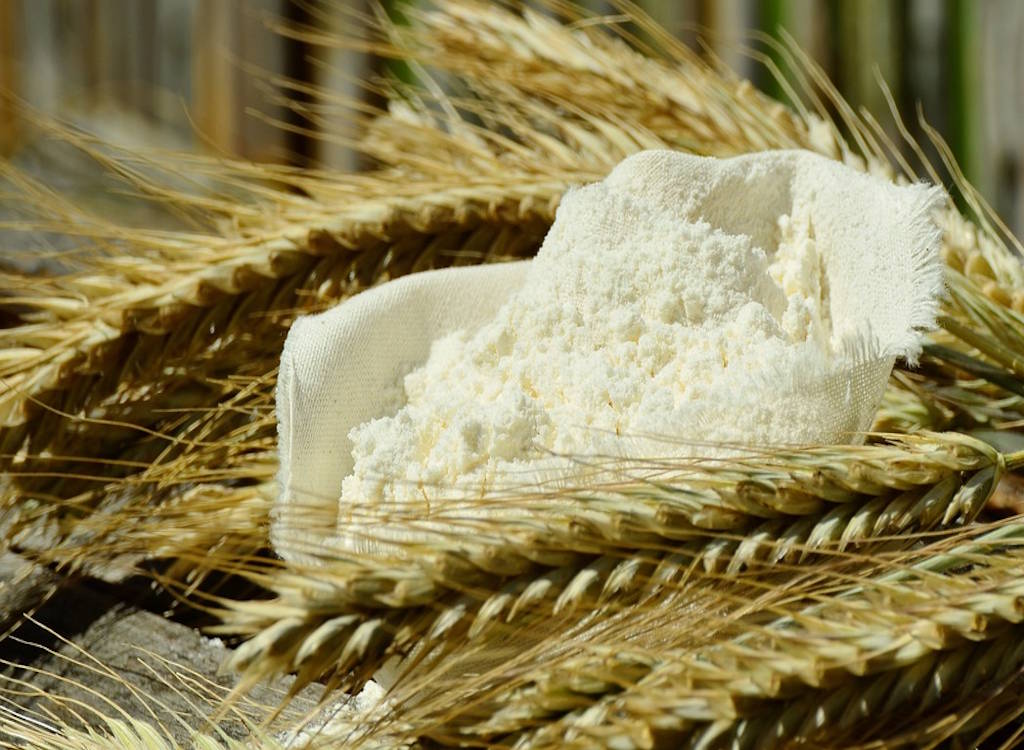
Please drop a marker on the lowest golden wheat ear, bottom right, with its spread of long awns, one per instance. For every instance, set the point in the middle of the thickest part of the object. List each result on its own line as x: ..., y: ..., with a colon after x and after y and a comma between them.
x: 820, y: 658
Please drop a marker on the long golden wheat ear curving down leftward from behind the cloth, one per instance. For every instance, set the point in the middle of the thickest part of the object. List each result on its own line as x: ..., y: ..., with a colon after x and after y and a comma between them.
x: 362, y: 243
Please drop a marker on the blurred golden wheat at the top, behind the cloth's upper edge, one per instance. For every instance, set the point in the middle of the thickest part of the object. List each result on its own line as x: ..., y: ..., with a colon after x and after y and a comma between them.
x: 589, y: 71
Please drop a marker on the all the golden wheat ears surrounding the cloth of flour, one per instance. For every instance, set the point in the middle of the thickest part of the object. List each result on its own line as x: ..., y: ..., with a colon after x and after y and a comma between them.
x: 821, y: 596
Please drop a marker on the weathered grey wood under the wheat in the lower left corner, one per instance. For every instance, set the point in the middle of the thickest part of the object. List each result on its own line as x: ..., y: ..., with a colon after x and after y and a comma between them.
x: 167, y: 674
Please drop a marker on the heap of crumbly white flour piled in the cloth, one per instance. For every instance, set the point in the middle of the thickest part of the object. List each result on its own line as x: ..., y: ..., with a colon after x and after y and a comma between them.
x: 637, y: 332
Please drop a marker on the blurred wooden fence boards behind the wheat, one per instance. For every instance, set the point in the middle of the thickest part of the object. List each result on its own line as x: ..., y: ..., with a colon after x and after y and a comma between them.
x: 199, y: 74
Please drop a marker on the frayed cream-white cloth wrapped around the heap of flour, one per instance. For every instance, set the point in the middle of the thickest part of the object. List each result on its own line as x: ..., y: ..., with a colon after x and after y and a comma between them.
x: 884, y: 275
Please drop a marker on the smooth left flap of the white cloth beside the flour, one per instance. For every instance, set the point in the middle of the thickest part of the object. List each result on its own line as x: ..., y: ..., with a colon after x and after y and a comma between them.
x: 336, y: 370
